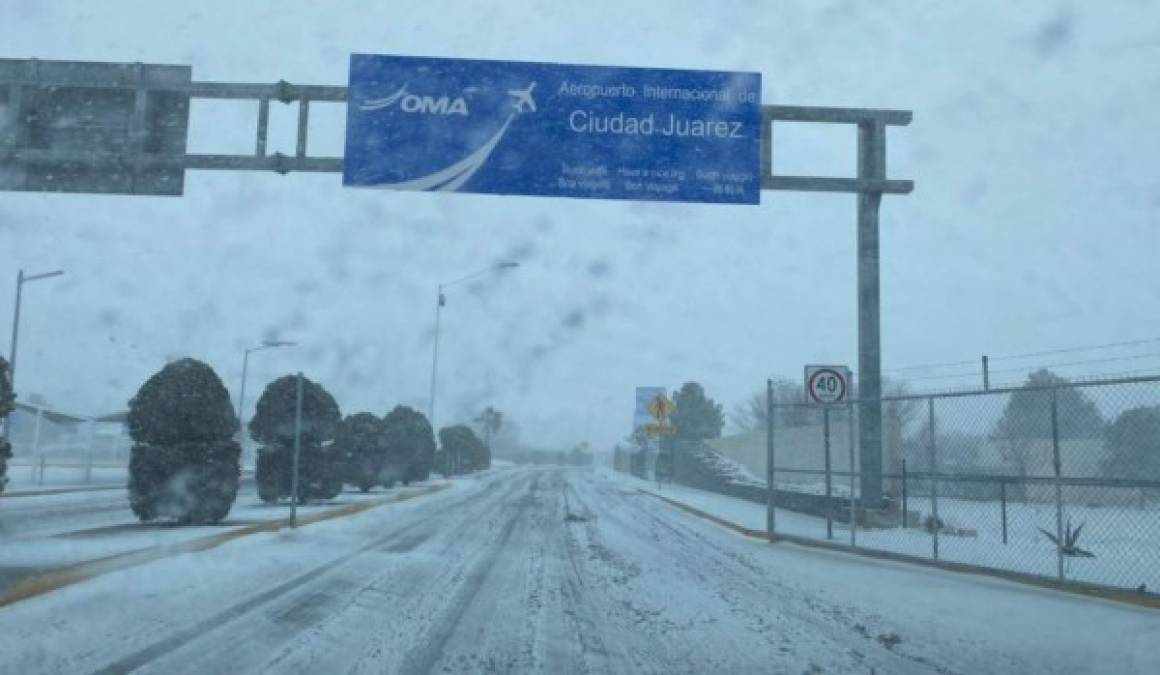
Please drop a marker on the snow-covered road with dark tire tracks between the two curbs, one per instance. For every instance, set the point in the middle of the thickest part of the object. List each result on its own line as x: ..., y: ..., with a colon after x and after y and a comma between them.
x: 556, y: 571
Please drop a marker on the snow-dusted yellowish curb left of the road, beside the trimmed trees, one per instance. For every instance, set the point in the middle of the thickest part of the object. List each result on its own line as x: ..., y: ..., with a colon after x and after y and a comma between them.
x: 50, y: 582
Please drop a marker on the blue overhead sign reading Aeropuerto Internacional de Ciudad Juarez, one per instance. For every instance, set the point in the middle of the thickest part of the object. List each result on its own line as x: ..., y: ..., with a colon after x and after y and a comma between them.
x: 516, y: 128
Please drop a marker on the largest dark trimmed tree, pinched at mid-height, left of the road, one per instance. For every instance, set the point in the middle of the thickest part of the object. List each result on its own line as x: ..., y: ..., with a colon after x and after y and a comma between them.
x: 185, y: 463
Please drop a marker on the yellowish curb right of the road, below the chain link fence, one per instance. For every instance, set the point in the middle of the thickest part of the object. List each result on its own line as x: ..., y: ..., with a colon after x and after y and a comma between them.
x: 1069, y: 587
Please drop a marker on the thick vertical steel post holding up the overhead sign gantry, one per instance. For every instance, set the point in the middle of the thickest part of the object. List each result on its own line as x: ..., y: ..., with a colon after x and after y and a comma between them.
x: 872, y: 165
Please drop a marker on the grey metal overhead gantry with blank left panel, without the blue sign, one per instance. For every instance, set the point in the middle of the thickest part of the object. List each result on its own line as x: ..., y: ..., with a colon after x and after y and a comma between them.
x: 121, y: 128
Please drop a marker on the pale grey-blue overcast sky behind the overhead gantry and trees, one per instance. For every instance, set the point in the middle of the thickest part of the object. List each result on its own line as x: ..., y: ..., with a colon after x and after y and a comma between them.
x: 1034, y: 223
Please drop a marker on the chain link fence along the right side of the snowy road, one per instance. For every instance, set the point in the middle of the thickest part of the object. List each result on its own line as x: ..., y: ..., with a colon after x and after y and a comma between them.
x: 1060, y: 481
